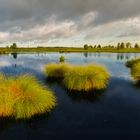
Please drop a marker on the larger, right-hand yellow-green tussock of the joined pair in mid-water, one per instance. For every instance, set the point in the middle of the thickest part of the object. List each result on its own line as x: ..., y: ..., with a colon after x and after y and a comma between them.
x: 86, y: 78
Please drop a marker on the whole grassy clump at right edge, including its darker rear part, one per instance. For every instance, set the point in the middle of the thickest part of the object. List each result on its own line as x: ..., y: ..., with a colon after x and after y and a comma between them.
x: 134, y: 65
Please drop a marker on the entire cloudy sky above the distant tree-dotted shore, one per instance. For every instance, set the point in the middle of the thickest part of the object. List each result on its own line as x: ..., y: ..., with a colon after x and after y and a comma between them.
x: 69, y: 22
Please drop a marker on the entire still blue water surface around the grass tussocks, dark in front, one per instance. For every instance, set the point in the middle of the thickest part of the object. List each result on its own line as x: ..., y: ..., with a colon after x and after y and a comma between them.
x: 110, y: 114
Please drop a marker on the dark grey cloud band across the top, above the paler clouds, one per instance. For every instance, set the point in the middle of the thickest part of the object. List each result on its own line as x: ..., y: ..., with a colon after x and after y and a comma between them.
x: 40, y: 10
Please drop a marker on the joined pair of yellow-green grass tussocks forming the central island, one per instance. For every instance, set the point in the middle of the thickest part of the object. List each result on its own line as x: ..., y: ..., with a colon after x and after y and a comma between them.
x: 79, y: 78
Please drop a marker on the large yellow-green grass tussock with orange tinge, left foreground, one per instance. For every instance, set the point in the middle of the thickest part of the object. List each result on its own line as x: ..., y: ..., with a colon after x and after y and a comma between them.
x: 23, y: 97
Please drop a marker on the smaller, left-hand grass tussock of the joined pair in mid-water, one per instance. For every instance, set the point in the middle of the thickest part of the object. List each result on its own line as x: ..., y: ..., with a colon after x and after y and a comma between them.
x: 54, y: 70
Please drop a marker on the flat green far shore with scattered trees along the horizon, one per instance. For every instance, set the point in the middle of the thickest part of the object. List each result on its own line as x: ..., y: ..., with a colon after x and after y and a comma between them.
x: 119, y: 48
